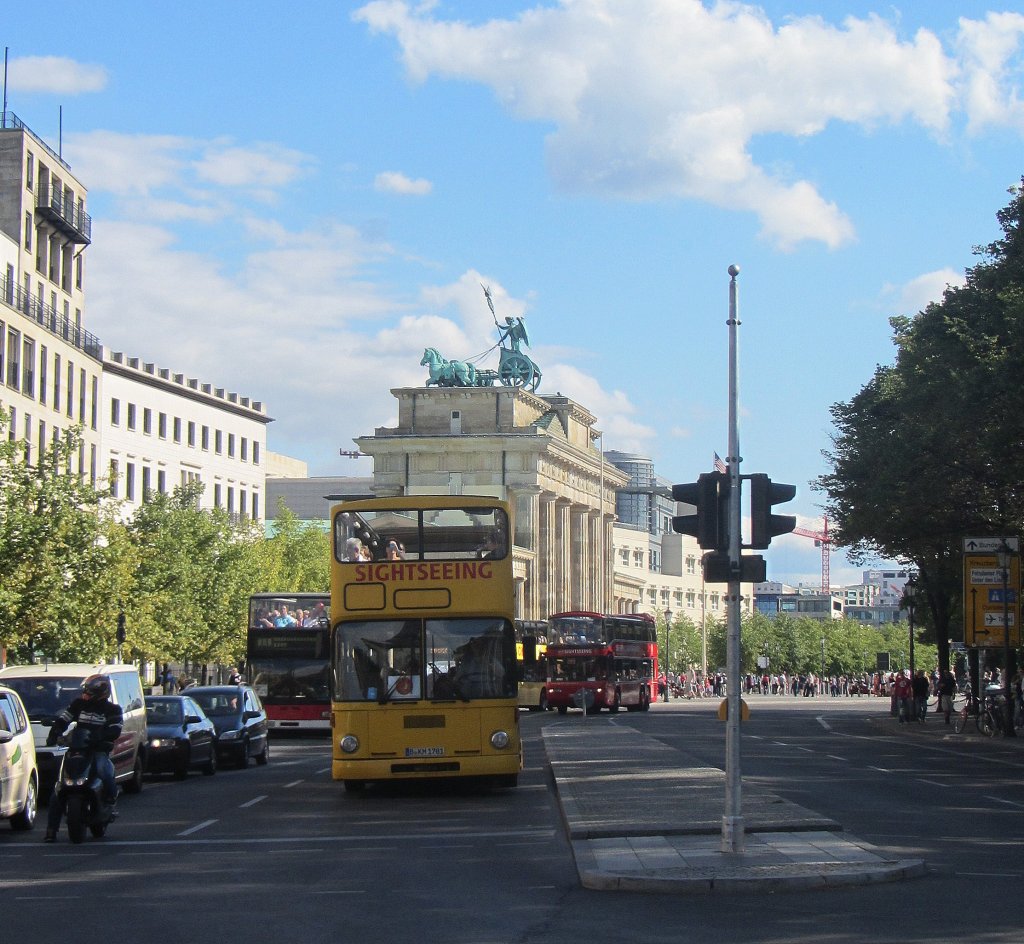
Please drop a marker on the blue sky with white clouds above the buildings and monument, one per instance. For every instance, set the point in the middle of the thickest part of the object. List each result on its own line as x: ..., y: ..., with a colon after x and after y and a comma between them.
x: 292, y: 201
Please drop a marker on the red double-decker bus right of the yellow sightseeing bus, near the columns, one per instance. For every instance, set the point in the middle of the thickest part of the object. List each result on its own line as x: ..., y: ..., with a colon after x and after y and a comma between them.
x: 598, y: 662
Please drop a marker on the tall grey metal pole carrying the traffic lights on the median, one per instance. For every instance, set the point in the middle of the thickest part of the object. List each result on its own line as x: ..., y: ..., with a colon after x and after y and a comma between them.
x: 733, y: 821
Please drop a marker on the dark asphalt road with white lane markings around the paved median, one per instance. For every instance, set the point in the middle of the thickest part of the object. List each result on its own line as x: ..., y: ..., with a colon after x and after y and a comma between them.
x: 280, y: 853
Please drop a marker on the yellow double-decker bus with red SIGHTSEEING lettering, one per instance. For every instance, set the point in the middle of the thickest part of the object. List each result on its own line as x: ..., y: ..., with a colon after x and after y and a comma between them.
x: 423, y: 656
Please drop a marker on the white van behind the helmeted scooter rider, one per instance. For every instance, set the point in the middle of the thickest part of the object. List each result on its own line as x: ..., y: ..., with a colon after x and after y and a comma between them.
x: 48, y: 690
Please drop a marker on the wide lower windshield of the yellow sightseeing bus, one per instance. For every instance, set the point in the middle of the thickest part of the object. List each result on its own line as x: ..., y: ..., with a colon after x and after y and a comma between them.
x: 452, y: 659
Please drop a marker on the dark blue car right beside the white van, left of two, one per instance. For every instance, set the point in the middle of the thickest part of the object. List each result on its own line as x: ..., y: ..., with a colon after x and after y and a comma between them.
x: 182, y: 738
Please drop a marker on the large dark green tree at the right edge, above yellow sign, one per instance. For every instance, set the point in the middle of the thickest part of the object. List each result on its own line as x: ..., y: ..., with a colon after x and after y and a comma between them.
x: 930, y: 450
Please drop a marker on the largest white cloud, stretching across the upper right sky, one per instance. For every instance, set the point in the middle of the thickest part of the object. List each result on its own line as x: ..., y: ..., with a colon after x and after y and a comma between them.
x: 664, y: 99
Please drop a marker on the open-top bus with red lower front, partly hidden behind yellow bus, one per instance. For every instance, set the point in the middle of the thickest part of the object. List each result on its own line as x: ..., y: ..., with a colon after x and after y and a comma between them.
x: 288, y: 659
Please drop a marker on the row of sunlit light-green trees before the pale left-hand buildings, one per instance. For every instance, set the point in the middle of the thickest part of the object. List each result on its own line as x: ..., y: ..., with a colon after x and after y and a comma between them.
x: 182, y: 576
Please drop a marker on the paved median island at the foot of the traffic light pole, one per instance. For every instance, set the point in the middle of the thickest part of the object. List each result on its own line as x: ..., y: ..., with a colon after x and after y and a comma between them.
x: 639, y: 821
